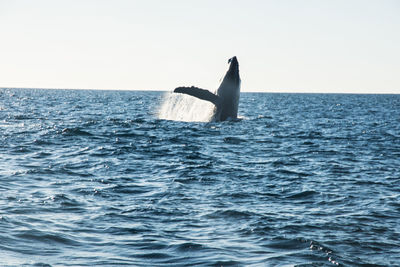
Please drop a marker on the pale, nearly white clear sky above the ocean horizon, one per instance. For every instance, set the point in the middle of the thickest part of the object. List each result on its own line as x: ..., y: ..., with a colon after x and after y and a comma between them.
x: 282, y: 45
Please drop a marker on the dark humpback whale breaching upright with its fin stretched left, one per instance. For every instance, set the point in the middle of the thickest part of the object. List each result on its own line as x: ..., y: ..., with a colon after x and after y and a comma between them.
x: 226, y: 98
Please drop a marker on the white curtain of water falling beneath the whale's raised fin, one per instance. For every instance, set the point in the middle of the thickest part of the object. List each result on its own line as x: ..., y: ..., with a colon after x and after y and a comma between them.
x: 181, y: 107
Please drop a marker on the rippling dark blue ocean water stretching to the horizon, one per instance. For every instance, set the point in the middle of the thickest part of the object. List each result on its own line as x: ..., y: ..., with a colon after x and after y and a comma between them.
x: 96, y: 178
